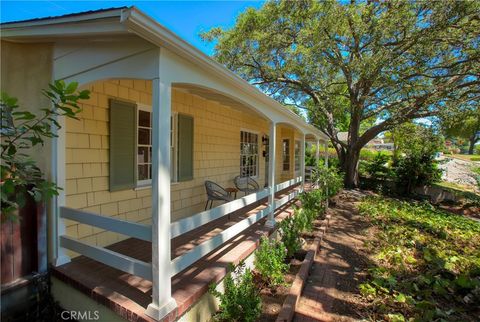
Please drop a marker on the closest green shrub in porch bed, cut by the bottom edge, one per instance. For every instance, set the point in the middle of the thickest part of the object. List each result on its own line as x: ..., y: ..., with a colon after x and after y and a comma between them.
x: 241, y: 300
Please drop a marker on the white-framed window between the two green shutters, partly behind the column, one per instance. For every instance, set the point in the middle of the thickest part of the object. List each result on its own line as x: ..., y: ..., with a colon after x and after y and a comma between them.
x: 144, y: 146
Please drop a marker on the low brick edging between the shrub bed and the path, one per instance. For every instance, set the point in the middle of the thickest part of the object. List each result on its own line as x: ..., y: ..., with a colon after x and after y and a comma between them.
x: 289, y: 305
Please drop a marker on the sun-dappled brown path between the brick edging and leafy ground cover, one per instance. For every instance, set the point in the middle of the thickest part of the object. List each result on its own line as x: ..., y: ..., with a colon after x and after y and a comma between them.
x: 331, y: 292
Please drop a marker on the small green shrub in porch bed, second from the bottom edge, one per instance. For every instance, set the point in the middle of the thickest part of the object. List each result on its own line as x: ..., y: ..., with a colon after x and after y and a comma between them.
x: 270, y: 261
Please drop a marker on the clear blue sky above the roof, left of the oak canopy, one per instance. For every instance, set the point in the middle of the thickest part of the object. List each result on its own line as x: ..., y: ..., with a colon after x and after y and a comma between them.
x: 185, y: 18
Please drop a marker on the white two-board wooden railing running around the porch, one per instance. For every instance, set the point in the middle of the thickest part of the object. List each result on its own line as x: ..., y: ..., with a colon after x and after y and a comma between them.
x: 140, y: 231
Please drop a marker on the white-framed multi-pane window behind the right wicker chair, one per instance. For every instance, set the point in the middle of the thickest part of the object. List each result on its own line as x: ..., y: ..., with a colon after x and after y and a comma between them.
x: 248, y: 154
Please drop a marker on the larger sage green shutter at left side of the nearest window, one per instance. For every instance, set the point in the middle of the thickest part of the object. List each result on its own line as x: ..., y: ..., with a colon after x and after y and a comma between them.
x: 123, y: 133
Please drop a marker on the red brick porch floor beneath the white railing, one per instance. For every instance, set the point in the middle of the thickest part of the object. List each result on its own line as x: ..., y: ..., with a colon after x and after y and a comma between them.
x: 129, y: 295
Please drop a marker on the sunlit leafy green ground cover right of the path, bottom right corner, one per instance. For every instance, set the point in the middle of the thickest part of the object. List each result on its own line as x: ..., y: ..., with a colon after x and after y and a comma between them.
x: 425, y: 263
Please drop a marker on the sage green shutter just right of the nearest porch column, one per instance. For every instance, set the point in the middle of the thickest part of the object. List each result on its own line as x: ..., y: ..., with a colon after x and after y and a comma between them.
x: 185, y: 147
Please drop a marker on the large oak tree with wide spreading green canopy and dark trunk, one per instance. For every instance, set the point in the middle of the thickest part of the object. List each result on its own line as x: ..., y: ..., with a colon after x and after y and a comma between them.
x: 364, y: 67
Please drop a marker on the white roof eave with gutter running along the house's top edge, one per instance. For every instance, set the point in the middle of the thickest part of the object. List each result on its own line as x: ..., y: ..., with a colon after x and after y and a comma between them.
x: 130, y: 20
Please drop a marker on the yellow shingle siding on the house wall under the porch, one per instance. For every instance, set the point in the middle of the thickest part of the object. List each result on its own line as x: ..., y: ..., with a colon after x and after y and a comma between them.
x: 216, y: 156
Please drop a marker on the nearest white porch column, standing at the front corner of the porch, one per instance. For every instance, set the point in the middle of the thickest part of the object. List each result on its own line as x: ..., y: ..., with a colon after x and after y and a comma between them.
x: 162, y: 301
